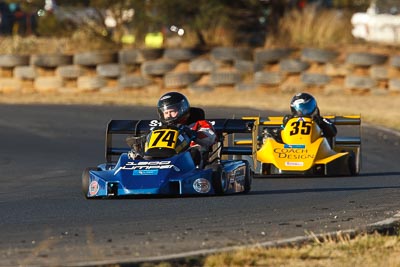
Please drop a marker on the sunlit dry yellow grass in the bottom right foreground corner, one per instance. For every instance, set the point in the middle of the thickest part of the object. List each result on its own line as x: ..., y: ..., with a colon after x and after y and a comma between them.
x: 365, y: 250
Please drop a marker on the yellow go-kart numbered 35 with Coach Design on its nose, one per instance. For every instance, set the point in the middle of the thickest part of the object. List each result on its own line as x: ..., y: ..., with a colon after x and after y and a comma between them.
x: 301, y: 149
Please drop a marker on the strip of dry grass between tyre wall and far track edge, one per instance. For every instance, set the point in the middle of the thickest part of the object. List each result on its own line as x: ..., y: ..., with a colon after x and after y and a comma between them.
x: 375, y: 109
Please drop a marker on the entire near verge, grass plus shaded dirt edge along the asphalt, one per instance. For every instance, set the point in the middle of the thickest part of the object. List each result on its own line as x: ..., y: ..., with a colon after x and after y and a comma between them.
x: 379, y: 248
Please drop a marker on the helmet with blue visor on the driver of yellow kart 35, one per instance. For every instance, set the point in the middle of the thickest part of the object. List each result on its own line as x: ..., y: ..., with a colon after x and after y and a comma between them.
x: 303, y: 104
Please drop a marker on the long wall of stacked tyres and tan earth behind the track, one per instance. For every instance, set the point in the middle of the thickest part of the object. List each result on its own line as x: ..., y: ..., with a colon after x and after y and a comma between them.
x: 242, y: 69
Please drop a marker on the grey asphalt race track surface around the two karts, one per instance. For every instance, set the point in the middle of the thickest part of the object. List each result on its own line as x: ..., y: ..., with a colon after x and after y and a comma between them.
x: 46, y: 221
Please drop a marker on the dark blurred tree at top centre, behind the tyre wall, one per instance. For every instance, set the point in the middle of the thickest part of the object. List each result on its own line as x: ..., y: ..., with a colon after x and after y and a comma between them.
x: 207, y: 18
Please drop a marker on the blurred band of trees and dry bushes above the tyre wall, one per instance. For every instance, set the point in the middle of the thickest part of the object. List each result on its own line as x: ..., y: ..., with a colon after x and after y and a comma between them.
x: 39, y: 26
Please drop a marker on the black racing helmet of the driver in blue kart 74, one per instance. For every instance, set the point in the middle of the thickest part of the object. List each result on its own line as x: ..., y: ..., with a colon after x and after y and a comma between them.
x: 173, y: 100
